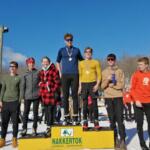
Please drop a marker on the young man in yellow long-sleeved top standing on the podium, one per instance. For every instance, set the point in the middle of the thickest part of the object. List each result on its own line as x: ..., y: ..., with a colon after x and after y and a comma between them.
x: 89, y: 77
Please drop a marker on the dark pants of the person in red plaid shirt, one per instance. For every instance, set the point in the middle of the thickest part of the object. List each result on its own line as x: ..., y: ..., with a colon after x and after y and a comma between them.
x: 49, y: 114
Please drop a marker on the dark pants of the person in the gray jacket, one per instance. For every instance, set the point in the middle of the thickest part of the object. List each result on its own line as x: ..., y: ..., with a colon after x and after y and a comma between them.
x: 27, y: 104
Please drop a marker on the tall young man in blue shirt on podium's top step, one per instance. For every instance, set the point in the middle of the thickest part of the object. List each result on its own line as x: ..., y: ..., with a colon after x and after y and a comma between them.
x: 67, y: 64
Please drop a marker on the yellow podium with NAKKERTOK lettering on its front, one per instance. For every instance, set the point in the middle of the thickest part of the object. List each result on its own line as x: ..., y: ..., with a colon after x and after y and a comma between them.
x: 70, y: 137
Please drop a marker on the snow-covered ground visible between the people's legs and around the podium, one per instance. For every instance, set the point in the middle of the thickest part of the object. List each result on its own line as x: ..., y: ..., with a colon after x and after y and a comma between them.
x: 131, y: 138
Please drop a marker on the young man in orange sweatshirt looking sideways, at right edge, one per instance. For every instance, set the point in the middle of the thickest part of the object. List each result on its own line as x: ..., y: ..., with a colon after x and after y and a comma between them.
x: 140, y: 92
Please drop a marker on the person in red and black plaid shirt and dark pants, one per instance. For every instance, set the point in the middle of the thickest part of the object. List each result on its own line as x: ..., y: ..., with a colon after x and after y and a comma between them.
x: 49, y: 85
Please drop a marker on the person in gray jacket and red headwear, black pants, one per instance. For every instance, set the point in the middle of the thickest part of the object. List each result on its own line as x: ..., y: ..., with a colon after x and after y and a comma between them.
x: 29, y: 88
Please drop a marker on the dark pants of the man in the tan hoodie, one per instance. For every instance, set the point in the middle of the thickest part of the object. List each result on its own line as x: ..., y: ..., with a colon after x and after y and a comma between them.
x: 114, y: 108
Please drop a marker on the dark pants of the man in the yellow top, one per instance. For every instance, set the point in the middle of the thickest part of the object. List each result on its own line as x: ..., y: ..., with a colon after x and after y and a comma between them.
x: 87, y: 90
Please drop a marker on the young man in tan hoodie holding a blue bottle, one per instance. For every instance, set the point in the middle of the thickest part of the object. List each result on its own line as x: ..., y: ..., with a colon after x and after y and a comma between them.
x: 113, y: 84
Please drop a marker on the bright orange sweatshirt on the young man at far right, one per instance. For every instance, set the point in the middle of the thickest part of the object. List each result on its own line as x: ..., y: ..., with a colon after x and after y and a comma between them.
x: 140, y: 86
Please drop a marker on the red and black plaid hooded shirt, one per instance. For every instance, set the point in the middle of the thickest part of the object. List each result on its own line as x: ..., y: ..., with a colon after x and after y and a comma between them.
x: 49, y: 84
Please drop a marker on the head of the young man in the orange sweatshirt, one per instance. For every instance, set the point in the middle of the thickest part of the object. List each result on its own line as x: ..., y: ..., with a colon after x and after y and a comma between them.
x: 143, y: 64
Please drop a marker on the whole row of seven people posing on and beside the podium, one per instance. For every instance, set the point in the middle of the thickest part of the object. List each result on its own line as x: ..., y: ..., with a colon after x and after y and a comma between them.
x: 82, y: 76
